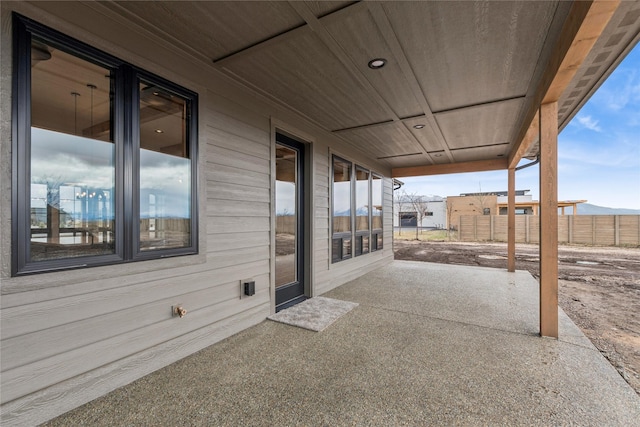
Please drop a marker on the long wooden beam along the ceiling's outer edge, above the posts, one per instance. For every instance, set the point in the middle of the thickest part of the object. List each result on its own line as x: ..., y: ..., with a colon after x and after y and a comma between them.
x: 585, y: 23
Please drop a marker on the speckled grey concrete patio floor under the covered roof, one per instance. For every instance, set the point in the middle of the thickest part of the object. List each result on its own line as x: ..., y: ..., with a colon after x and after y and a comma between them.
x: 429, y: 344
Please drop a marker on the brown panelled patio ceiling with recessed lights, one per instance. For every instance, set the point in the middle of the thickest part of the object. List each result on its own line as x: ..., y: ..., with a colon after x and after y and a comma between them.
x: 471, y: 73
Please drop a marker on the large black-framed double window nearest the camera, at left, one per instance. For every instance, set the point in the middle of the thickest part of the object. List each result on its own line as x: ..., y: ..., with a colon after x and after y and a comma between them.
x: 104, y: 155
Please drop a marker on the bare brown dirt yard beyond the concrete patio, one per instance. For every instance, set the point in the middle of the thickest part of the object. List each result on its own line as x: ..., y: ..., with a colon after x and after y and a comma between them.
x: 599, y: 289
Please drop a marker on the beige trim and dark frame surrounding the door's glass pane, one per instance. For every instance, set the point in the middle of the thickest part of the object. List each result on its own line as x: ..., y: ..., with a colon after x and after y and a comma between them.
x: 307, y: 207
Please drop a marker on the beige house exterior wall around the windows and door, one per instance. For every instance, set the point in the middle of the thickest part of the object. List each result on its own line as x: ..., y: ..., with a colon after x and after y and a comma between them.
x: 71, y: 336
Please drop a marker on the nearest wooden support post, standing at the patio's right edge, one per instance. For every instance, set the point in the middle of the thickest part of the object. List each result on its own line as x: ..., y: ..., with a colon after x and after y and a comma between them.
x: 549, y: 220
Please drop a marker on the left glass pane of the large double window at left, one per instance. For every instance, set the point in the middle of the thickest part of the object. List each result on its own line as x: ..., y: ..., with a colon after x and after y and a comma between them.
x: 72, y: 156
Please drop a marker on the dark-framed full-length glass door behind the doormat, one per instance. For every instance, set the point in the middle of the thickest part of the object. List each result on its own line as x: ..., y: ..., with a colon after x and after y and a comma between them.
x: 289, y: 269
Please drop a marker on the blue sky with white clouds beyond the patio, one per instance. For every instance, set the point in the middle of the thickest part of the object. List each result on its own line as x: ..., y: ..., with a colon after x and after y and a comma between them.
x: 598, y: 151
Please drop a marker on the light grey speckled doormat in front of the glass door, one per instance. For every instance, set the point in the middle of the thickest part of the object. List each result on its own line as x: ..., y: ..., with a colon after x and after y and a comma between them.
x: 315, y: 314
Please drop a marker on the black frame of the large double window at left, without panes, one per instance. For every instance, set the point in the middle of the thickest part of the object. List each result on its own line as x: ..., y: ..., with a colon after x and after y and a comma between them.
x: 126, y: 153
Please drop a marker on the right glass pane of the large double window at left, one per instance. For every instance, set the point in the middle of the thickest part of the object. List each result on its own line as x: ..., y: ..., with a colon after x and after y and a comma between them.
x: 165, y: 170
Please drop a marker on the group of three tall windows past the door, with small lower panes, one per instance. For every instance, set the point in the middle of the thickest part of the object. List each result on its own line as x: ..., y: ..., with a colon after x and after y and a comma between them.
x: 357, y: 210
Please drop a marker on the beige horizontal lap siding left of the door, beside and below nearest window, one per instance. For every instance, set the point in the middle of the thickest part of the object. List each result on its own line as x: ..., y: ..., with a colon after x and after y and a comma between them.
x: 51, y: 336
